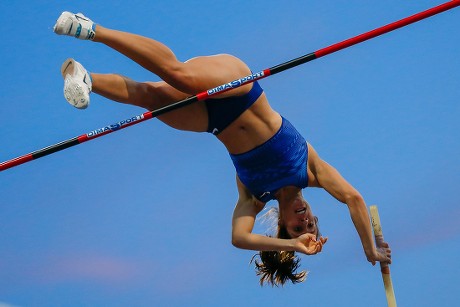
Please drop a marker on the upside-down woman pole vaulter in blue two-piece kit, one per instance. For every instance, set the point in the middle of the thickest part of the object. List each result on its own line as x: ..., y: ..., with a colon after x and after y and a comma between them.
x: 272, y: 159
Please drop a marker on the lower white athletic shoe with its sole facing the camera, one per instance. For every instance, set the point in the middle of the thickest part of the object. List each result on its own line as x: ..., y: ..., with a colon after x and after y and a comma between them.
x: 77, y: 84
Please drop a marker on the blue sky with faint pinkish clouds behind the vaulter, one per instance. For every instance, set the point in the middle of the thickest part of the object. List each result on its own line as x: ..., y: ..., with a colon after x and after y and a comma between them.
x: 142, y: 217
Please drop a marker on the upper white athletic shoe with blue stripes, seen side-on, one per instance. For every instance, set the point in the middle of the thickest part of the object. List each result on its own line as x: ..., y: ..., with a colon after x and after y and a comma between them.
x: 76, y: 25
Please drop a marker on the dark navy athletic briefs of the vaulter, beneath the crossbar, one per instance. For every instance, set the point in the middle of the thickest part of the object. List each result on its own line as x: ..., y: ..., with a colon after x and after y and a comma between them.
x: 224, y: 111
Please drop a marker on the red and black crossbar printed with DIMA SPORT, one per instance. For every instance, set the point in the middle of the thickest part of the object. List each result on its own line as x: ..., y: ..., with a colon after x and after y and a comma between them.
x: 228, y: 86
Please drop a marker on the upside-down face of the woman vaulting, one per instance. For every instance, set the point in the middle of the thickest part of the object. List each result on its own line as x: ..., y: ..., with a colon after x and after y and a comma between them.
x: 298, y: 219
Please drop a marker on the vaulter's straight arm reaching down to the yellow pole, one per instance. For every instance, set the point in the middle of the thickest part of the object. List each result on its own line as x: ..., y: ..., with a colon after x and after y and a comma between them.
x: 327, y: 177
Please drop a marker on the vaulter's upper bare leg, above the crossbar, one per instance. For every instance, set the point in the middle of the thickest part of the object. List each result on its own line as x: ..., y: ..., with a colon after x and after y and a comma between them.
x: 191, y: 77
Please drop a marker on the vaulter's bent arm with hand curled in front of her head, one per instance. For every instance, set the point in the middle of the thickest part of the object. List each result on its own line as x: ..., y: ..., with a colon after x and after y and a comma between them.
x: 243, y: 221
